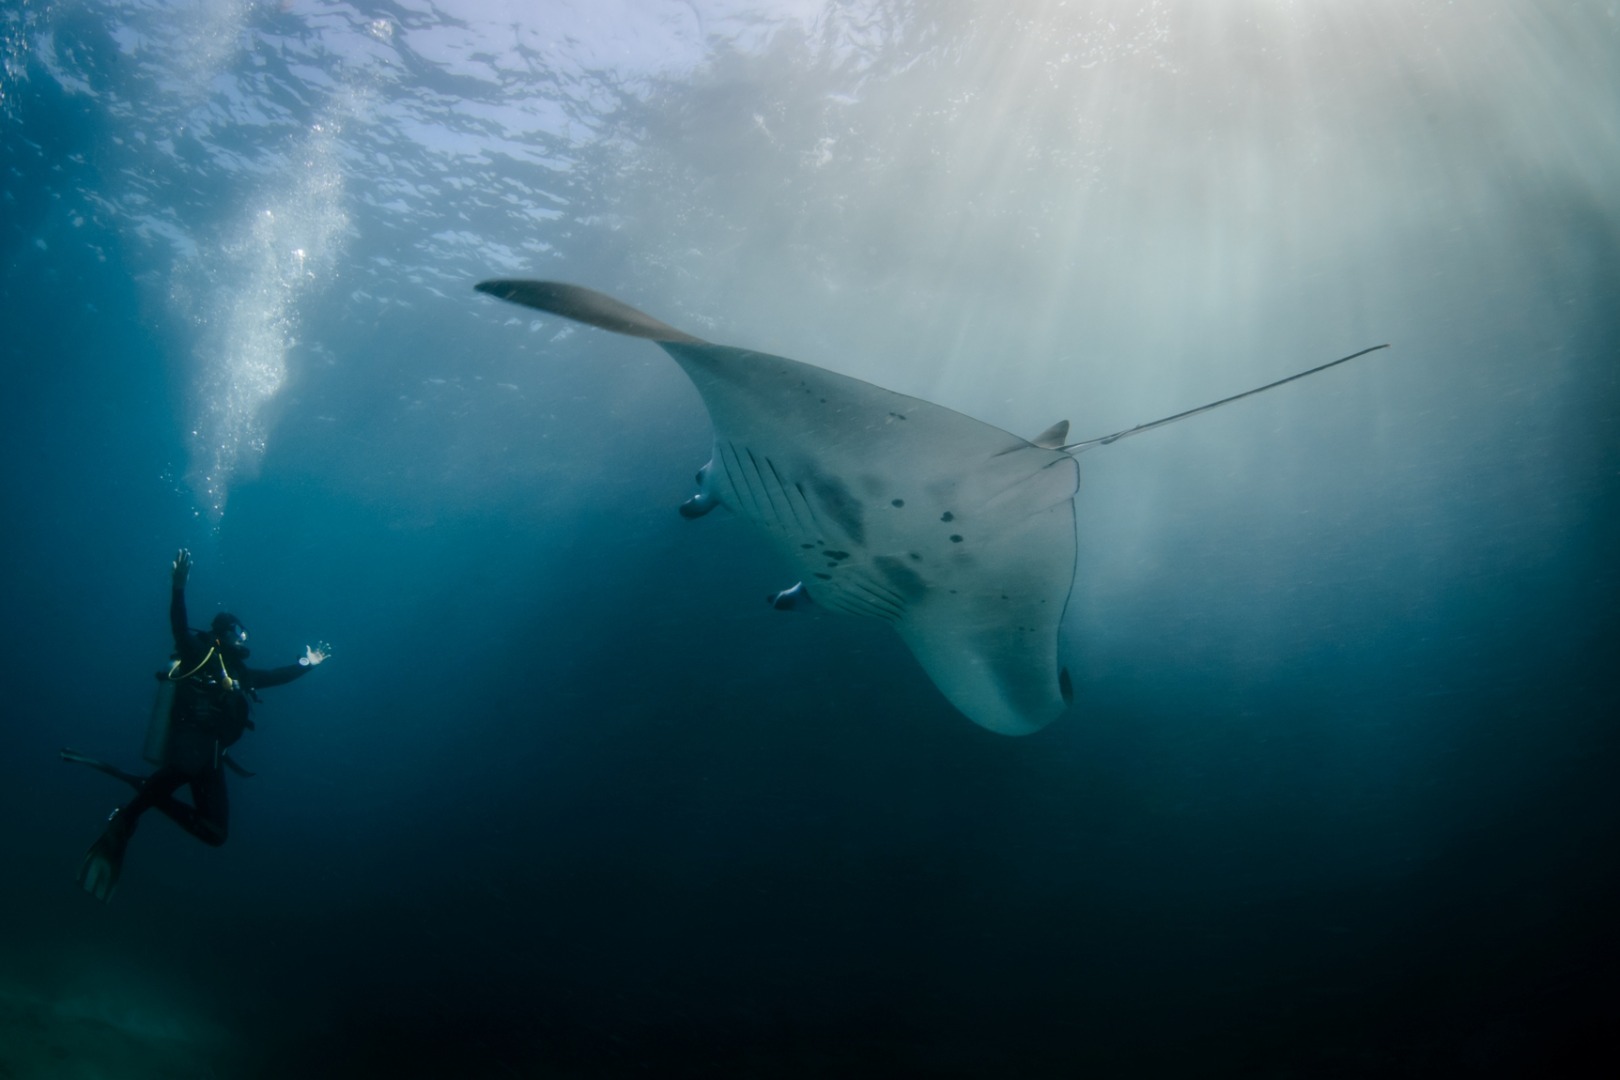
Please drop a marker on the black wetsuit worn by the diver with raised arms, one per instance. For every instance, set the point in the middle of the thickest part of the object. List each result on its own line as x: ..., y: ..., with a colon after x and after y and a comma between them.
x: 208, y: 715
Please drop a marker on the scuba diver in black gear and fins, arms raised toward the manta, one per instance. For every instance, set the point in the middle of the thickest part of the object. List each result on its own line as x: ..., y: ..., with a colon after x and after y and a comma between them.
x: 207, y: 713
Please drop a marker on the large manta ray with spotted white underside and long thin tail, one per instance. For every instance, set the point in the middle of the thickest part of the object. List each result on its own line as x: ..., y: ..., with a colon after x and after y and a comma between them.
x: 957, y: 534
